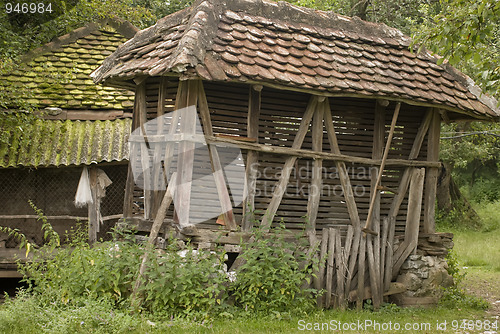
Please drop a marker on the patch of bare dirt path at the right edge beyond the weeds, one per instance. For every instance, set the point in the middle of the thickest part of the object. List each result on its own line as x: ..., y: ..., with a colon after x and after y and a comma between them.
x: 485, y: 284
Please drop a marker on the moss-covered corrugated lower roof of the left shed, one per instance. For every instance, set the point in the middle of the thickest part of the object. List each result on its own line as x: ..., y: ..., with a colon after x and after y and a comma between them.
x: 63, y: 143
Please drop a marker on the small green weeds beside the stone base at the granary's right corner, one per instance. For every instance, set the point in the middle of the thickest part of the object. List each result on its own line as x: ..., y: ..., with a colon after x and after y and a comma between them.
x: 455, y: 296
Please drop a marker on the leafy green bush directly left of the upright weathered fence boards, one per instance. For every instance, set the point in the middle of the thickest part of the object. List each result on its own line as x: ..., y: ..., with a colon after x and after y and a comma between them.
x: 273, y: 275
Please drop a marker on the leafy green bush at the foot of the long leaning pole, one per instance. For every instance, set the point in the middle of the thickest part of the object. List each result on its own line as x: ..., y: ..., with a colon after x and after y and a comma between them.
x: 184, y: 283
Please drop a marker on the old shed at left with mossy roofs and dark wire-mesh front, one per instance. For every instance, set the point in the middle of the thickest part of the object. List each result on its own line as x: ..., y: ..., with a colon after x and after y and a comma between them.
x: 80, y: 125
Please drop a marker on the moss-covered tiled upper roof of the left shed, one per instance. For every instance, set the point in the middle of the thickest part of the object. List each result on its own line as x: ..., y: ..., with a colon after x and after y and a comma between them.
x: 57, y: 74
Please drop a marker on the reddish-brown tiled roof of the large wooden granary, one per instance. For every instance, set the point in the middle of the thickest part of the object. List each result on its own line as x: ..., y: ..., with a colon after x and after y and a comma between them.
x: 285, y: 46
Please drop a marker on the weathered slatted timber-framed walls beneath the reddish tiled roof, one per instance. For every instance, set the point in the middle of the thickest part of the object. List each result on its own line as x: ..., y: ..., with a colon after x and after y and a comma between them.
x: 403, y: 204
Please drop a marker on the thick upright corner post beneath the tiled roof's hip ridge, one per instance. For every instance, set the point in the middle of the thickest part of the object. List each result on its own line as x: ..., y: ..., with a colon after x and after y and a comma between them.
x: 186, y: 156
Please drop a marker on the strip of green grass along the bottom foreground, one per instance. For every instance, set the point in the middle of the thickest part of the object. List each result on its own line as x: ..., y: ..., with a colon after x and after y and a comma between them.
x: 25, y: 316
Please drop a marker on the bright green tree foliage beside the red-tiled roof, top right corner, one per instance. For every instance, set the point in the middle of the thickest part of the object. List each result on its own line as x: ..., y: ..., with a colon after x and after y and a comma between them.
x: 467, y: 34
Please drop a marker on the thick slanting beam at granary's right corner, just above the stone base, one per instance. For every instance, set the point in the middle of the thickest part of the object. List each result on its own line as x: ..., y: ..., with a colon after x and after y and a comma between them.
x: 412, y: 221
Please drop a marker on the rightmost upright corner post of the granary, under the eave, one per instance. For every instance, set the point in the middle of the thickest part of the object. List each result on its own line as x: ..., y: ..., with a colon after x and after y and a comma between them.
x: 432, y: 174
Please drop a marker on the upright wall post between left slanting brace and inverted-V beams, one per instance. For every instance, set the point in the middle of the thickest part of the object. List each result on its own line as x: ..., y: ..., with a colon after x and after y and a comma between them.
x: 252, y: 163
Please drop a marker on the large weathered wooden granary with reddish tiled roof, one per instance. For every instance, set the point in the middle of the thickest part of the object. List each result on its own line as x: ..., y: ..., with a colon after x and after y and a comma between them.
x: 337, y: 121
